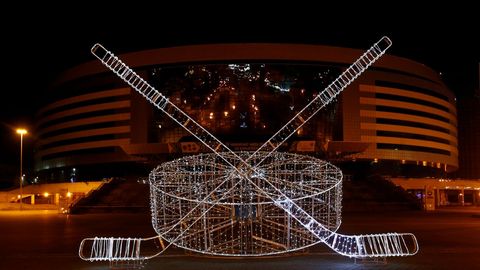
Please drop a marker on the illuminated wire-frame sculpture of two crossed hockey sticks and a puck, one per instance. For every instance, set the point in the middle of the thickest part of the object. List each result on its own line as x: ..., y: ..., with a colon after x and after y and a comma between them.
x: 197, y: 200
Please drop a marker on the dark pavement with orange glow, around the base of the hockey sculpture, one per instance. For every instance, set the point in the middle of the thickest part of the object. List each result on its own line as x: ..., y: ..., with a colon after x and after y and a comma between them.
x: 42, y: 240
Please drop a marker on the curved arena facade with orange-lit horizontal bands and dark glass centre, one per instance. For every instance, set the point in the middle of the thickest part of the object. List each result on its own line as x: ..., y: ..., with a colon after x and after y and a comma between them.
x: 398, y: 111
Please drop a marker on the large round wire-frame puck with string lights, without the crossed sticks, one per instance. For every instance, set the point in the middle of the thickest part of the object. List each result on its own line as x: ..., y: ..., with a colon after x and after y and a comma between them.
x: 243, y: 222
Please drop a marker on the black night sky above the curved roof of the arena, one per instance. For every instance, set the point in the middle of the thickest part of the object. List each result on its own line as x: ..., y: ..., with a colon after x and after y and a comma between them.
x: 39, y: 45
